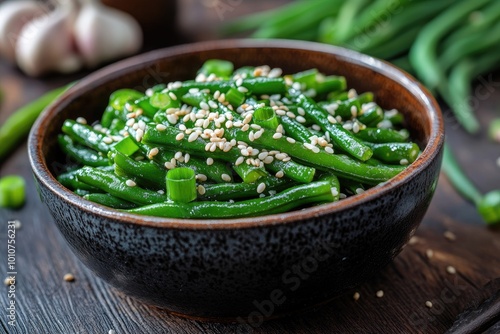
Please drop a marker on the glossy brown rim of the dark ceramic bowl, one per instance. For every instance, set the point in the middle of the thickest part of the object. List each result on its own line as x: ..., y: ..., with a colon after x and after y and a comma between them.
x: 113, y: 71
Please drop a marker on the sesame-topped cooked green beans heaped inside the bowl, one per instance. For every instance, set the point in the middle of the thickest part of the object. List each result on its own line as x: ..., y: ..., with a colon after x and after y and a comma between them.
x: 258, y: 143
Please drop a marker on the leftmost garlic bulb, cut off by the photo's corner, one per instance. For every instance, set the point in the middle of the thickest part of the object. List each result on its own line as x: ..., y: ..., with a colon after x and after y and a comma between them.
x: 13, y: 16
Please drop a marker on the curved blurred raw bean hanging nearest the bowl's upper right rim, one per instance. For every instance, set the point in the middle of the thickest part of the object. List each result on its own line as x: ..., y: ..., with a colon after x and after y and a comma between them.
x: 423, y: 53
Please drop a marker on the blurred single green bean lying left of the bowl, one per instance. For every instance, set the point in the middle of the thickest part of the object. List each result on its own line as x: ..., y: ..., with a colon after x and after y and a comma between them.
x: 17, y: 126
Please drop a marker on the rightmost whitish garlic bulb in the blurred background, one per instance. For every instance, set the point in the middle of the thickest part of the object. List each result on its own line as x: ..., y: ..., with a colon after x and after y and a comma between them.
x: 103, y: 34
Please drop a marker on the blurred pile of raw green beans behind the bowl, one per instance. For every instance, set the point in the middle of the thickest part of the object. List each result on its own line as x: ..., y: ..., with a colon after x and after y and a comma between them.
x: 447, y: 44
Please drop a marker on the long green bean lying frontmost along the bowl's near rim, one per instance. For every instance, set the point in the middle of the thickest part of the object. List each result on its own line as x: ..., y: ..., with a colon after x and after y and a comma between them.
x: 315, y: 192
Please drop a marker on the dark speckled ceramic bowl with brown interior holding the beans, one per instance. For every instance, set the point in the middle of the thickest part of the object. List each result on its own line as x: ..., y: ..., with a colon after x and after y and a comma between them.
x: 251, y: 267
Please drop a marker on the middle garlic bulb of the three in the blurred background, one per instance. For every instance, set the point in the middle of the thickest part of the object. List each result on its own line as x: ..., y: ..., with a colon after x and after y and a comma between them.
x: 46, y: 43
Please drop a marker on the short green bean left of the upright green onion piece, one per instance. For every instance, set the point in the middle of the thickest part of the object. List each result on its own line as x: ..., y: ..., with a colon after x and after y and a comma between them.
x: 118, y: 186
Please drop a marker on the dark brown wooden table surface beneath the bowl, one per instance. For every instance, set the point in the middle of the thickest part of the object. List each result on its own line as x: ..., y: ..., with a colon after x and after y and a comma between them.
x: 45, y: 303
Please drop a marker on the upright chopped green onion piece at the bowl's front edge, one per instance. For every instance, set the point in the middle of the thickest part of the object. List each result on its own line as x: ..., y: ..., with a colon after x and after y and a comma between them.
x: 181, y: 185
